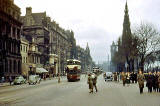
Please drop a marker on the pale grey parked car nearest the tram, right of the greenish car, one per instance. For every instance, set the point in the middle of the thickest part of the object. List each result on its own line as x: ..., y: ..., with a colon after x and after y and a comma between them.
x: 34, y: 79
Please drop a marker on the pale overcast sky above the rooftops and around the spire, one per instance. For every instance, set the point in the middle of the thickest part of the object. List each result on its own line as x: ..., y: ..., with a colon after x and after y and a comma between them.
x: 98, y: 22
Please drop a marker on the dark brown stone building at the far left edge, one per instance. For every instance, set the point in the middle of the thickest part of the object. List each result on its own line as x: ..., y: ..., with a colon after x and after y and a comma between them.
x: 10, y: 29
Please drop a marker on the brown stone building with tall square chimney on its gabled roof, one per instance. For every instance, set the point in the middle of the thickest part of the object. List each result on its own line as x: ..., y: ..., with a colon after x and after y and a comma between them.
x: 34, y: 26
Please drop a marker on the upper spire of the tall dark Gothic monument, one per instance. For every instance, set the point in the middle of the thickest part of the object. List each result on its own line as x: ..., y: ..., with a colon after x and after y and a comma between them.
x: 126, y: 25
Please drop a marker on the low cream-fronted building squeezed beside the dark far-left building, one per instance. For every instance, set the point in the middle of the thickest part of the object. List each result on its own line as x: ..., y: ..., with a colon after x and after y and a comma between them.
x: 30, y: 56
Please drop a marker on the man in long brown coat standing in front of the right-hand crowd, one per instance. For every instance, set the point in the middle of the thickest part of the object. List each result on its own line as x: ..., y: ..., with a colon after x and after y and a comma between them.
x: 140, y: 79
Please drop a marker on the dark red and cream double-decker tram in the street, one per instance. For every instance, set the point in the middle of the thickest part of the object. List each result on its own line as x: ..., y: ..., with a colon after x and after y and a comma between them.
x: 73, y: 70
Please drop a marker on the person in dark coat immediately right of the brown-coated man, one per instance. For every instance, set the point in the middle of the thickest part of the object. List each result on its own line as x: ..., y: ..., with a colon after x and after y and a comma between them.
x: 149, y: 83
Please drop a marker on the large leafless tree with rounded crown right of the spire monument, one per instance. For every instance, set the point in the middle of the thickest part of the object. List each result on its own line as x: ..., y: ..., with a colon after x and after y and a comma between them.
x: 148, y: 41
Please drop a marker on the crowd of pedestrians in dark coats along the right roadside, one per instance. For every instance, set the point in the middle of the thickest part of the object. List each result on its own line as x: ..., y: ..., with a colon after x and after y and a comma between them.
x: 152, y: 80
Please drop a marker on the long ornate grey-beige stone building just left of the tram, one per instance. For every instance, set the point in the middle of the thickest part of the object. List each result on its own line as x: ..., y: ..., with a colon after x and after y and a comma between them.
x: 59, y: 46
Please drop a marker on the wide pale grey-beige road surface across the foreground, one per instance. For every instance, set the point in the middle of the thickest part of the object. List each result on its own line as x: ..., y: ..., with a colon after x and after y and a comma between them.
x: 52, y: 93
